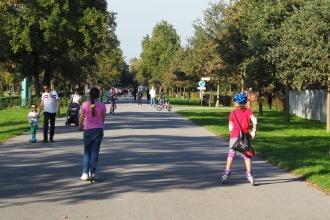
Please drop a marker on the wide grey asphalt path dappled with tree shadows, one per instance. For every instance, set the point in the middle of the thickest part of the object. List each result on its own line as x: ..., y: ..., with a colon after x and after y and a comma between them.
x: 152, y: 165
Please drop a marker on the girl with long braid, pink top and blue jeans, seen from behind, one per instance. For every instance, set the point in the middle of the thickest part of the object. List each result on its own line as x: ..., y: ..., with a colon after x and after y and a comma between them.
x: 91, y: 121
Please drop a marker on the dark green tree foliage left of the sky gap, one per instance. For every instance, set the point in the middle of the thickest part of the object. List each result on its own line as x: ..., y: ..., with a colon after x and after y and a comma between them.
x: 61, y: 40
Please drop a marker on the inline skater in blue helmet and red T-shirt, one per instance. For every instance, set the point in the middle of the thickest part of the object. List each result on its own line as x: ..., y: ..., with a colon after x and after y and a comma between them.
x: 243, y: 115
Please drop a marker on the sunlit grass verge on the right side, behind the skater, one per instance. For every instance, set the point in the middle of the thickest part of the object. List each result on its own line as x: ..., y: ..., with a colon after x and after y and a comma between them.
x: 301, y: 146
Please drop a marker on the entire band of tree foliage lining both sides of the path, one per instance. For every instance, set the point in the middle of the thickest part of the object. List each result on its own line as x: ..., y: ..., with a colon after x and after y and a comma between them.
x: 267, y: 44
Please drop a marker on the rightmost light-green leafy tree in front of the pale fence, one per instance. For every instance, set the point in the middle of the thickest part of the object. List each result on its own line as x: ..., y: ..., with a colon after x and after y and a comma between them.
x: 302, y: 55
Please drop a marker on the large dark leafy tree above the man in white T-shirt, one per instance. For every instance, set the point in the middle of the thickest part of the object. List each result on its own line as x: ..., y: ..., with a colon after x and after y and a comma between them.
x: 43, y: 33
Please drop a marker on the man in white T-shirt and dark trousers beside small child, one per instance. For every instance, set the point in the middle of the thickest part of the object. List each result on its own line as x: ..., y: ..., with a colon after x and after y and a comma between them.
x: 50, y: 104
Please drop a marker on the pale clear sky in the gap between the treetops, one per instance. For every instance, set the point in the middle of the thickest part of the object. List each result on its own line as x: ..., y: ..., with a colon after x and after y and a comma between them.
x: 136, y: 19
